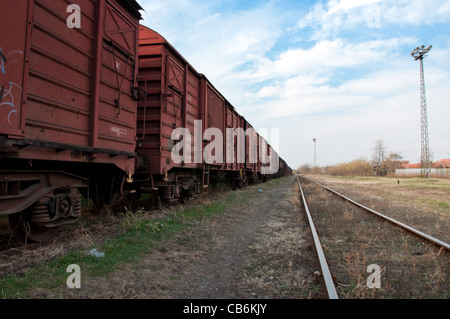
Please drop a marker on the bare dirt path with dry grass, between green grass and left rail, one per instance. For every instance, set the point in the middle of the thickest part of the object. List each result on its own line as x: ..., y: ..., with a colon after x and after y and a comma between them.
x: 258, y: 249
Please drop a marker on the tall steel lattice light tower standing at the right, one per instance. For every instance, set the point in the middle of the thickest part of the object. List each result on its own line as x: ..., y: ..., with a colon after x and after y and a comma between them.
x: 418, y: 54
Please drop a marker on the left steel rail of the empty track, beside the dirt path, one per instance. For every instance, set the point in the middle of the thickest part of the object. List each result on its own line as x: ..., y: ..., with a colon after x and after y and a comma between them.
x: 329, y: 284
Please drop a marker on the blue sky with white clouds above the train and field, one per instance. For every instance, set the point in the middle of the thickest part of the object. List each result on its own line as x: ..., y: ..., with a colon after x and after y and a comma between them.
x: 339, y: 71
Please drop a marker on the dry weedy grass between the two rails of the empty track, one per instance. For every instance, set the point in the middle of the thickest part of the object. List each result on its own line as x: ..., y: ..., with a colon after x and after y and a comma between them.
x: 353, y: 240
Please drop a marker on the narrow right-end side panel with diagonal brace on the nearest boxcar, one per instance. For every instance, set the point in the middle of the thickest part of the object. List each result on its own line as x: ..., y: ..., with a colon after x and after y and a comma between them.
x: 117, y: 110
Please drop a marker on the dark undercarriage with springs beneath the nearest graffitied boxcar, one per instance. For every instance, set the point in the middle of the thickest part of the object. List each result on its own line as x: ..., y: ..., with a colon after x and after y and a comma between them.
x: 37, y: 202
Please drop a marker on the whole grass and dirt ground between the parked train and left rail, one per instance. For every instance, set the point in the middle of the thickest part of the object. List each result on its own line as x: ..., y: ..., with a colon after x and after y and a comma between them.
x: 215, y: 256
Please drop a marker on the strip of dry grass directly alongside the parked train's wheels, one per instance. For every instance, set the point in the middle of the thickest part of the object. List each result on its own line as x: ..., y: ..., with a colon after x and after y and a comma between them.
x: 94, y: 228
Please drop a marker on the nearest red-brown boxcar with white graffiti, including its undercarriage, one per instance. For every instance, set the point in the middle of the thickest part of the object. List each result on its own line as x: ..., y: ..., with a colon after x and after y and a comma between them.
x: 68, y: 90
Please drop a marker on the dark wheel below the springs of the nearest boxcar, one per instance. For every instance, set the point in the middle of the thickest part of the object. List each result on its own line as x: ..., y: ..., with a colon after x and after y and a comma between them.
x: 28, y: 231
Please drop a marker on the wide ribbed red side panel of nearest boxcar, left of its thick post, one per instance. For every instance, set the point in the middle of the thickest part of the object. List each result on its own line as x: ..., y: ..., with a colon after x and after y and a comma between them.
x: 59, y: 75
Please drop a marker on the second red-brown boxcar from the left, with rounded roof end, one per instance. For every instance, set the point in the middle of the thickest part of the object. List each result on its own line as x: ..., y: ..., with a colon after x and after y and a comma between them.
x: 171, y: 103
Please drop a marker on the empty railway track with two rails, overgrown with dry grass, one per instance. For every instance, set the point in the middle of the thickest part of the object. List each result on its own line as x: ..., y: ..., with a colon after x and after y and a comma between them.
x: 326, y: 274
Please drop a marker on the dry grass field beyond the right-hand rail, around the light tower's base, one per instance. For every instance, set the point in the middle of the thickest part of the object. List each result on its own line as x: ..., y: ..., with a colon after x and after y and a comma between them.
x: 422, y: 204
